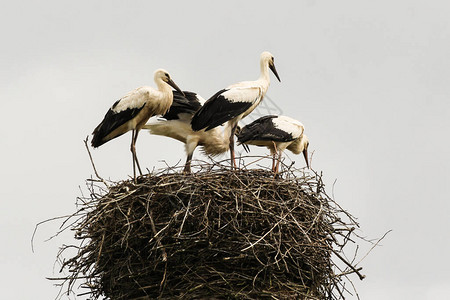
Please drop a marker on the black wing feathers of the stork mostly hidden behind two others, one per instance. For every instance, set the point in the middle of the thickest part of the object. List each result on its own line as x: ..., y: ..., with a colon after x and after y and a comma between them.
x: 188, y: 104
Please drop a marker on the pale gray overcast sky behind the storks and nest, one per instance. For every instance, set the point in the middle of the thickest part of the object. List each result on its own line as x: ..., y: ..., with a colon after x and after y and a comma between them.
x: 369, y: 79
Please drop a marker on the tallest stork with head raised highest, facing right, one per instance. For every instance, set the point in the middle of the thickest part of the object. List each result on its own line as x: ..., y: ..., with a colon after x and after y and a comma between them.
x: 235, y: 102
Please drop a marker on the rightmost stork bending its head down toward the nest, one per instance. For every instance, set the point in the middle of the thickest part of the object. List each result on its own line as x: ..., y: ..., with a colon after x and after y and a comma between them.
x: 276, y: 133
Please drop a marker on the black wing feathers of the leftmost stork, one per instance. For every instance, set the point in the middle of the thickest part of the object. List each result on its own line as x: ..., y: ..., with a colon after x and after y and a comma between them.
x: 112, y: 121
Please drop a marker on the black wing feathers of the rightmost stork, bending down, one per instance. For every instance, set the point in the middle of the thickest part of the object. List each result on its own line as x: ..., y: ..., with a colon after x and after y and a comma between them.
x: 263, y: 129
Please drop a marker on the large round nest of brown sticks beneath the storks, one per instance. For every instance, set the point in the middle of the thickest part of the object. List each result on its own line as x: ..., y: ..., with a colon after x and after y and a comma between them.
x: 216, y: 233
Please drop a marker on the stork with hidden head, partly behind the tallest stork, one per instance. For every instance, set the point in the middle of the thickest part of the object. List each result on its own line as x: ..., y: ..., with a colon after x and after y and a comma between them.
x: 176, y: 124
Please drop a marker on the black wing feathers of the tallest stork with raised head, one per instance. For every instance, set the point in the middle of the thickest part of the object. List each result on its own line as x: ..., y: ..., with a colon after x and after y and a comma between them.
x: 216, y: 111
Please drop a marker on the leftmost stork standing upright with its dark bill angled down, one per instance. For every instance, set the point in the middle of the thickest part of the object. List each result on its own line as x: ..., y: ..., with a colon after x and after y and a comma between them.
x: 133, y: 110
